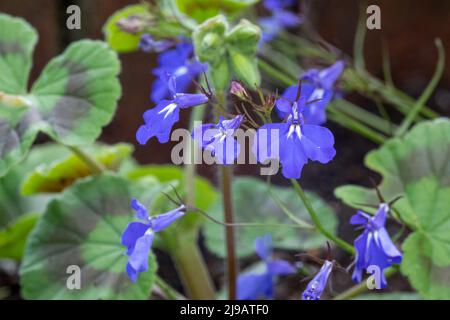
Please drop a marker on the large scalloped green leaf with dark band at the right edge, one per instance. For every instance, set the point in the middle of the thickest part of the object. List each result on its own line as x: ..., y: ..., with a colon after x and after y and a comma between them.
x: 417, y: 167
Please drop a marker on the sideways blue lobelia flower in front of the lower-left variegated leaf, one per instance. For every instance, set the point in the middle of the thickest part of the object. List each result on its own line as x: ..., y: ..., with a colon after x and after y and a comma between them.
x: 138, y: 236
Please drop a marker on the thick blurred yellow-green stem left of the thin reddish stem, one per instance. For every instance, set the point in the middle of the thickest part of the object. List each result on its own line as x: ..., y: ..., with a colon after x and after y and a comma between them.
x: 191, y: 267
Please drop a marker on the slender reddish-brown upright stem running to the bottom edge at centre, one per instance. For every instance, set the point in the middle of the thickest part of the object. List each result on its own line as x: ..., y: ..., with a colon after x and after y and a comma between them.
x: 229, y: 231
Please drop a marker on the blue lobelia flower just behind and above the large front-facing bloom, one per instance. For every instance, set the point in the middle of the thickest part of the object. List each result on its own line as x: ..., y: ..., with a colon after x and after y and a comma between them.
x: 318, y: 89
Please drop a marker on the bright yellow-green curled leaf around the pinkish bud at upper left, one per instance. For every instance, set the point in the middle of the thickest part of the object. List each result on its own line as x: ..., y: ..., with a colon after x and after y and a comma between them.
x: 119, y: 40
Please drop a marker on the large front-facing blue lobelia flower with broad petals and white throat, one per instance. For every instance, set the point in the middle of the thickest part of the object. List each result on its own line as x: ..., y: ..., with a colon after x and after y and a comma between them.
x: 294, y: 142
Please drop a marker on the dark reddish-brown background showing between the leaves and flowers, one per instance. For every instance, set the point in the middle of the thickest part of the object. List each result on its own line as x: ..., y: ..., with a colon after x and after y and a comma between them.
x: 409, y: 28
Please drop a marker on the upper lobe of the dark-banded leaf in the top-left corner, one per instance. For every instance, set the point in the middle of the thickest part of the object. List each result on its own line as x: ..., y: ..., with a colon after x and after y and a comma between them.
x: 17, y: 41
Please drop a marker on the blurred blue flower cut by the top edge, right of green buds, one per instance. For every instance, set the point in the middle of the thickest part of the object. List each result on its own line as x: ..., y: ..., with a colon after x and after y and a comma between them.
x: 279, y: 20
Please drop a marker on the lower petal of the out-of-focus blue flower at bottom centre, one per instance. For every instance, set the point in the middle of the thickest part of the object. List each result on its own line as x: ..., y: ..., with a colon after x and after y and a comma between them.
x: 252, y: 286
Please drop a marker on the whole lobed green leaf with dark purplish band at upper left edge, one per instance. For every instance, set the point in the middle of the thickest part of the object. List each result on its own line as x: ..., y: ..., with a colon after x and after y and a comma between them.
x: 75, y: 96
